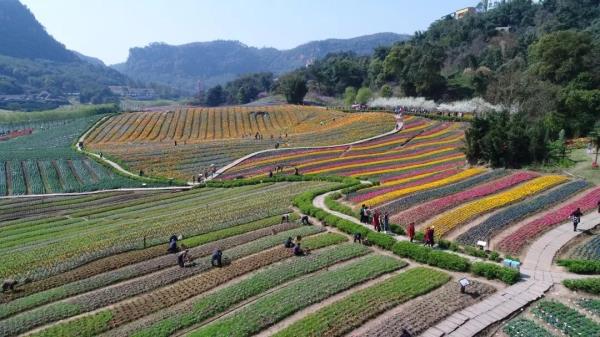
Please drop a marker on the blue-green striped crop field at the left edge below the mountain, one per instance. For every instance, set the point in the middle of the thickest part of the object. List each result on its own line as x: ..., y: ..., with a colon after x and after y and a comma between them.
x: 44, y: 162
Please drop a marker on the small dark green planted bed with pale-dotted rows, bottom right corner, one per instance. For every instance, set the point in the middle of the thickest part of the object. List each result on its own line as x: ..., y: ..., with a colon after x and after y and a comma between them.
x: 567, y: 320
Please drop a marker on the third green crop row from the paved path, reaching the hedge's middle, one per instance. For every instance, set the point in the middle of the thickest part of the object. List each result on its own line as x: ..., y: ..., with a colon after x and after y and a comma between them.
x: 226, y: 298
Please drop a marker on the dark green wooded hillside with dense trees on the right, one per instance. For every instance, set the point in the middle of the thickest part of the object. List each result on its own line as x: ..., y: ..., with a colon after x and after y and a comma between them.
x: 538, y: 60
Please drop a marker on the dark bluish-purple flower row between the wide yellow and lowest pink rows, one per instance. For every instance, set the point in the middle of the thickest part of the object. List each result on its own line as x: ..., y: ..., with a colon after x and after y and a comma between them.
x: 499, y: 221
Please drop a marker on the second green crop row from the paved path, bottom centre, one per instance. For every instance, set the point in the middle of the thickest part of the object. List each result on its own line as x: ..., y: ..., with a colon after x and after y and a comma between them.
x: 282, y: 303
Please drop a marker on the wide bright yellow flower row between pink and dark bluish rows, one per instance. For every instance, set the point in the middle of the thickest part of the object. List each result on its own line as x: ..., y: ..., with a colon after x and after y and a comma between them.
x: 464, y: 213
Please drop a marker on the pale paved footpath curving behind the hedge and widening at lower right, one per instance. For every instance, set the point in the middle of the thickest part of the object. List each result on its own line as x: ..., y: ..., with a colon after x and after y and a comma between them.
x: 536, y: 272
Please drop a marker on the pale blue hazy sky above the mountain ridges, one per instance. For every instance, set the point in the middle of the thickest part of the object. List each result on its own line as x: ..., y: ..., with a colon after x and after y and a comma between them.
x: 108, y: 28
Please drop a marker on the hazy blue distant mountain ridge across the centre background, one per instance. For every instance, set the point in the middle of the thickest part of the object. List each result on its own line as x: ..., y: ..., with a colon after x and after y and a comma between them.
x: 217, y: 62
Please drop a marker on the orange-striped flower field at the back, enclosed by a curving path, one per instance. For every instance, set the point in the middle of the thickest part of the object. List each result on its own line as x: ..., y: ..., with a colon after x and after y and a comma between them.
x: 186, y: 142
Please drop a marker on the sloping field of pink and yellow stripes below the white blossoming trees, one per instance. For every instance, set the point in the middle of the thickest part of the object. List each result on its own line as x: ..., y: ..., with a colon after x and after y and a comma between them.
x: 422, y: 144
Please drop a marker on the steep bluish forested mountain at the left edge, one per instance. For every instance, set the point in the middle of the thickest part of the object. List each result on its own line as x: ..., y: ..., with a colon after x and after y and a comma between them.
x: 33, y: 62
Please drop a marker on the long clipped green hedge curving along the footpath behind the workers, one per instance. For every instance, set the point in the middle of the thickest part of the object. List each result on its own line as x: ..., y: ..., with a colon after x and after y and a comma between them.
x: 406, y: 249
